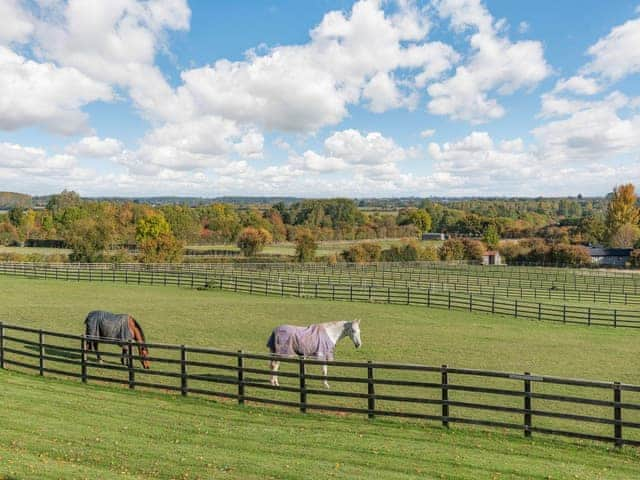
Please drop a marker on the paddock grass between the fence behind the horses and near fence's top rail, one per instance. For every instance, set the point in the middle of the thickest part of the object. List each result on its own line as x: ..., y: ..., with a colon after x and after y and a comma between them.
x: 408, y: 334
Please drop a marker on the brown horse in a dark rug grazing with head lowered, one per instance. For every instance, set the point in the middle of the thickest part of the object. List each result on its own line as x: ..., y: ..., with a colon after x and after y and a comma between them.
x: 101, y: 325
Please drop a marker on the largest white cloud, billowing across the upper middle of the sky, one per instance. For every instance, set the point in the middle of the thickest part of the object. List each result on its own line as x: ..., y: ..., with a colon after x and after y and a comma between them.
x: 305, y: 87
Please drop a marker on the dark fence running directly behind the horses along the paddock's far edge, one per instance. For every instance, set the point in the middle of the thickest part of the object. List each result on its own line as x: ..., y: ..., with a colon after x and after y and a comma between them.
x: 427, y: 297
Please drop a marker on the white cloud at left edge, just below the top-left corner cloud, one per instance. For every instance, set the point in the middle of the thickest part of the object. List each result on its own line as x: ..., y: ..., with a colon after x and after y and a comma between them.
x: 43, y: 94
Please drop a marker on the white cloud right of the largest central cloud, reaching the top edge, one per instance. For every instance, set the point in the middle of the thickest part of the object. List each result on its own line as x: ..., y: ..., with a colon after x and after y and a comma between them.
x: 496, y: 65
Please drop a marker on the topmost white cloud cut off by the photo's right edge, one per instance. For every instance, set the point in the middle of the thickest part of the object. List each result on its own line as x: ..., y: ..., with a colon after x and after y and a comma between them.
x: 617, y: 55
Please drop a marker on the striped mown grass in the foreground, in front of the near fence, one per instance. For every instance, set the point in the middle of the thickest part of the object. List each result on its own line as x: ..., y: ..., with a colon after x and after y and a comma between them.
x: 54, y: 429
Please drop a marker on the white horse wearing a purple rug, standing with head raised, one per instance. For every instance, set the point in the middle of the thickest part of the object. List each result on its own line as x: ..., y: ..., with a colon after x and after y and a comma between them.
x: 317, y: 341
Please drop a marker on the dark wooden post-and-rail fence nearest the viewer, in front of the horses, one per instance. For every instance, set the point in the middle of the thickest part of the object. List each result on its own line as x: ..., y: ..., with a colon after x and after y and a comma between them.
x: 592, y: 410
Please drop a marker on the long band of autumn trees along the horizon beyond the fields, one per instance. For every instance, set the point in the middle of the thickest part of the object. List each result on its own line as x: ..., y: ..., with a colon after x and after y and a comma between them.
x: 553, y: 229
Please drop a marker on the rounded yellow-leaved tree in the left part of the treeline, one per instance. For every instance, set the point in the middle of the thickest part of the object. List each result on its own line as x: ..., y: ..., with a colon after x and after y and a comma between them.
x: 156, y: 240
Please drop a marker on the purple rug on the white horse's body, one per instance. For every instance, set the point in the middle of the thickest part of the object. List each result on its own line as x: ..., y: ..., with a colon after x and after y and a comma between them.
x: 311, y: 341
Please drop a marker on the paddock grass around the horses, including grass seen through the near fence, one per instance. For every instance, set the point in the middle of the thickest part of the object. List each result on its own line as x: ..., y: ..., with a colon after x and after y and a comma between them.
x: 405, y: 334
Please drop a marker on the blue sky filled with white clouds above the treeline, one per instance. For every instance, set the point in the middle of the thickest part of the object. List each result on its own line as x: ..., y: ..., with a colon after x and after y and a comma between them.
x: 319, y: 98
